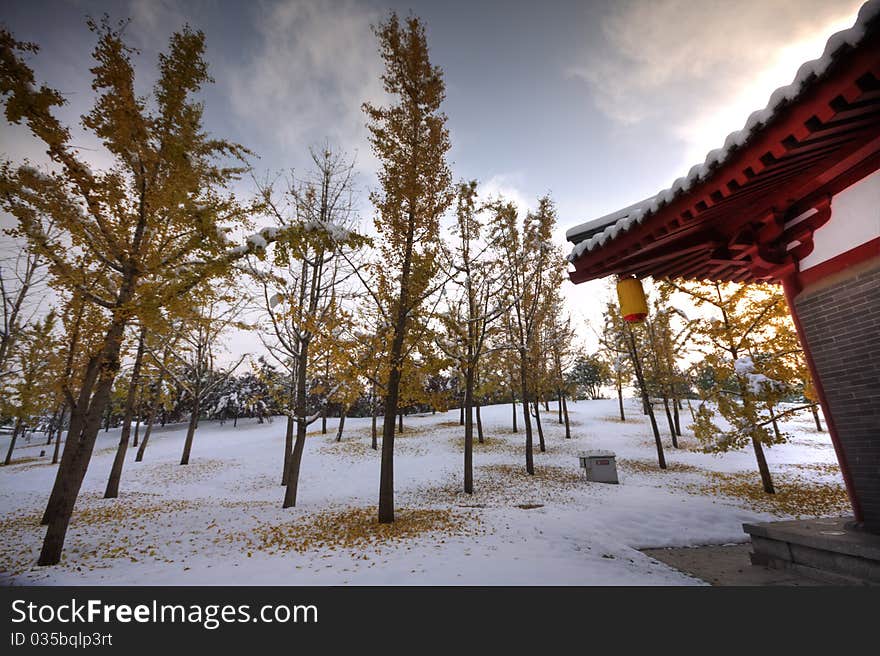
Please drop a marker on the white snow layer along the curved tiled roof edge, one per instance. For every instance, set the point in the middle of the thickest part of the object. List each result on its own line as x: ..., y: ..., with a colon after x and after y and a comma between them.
x: 594, y: 234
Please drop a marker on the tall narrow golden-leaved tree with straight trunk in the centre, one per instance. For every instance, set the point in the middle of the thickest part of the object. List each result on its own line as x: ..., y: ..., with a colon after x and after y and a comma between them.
x: 410, y: 140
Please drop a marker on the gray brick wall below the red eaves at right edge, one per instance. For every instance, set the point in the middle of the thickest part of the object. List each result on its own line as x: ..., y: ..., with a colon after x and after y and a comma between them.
x: 841, y: 323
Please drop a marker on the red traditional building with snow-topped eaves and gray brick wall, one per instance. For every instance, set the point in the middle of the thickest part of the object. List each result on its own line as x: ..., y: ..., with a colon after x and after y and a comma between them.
x: 792, y: 198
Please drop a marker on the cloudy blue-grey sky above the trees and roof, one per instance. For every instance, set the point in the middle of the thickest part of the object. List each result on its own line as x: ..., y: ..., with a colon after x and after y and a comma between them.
x: 599, y: 103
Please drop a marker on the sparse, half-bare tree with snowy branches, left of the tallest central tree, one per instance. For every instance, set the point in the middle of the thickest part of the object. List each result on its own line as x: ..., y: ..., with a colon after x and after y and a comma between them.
x: 303, y: 294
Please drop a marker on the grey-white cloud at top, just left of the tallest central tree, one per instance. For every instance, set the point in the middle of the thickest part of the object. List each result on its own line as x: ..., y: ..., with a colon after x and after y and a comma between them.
x: 313, y: 67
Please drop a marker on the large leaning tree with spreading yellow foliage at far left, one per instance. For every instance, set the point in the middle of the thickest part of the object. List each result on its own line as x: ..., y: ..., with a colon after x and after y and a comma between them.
x: 133, y: 238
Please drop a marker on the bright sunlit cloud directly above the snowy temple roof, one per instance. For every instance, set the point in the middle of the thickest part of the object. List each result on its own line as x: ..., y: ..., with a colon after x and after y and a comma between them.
x: 699, y: 69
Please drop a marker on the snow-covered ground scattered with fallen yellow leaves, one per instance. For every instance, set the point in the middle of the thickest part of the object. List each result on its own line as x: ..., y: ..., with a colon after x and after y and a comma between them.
x: 219, y: 520
